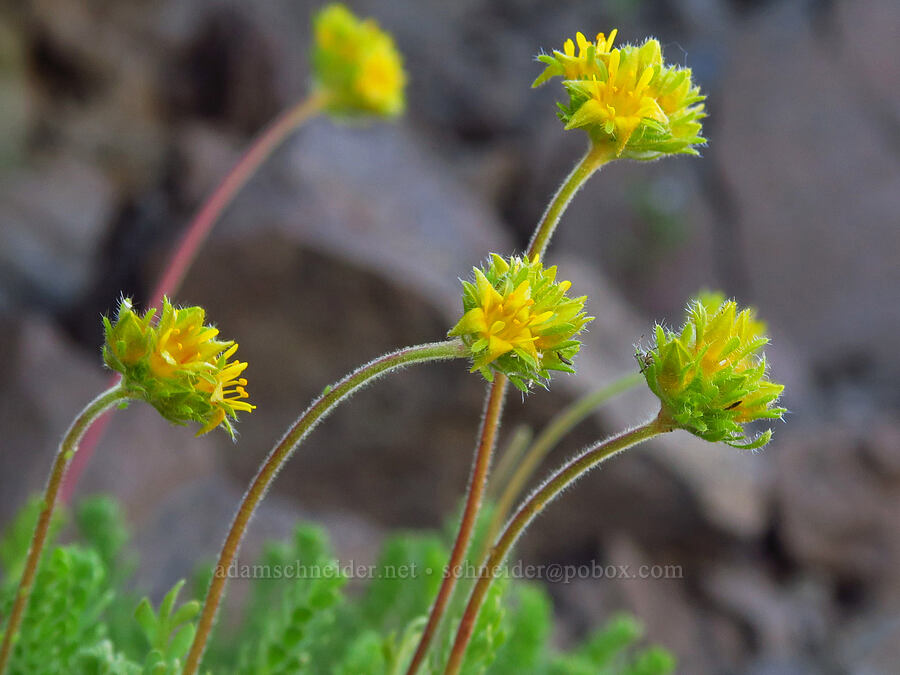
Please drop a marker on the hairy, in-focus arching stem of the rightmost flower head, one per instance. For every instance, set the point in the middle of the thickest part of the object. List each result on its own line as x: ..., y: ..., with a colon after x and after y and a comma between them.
x: 561, y: 480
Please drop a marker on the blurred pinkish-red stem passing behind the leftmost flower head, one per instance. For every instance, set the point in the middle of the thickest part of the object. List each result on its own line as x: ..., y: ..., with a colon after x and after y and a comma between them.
x: 196, y: 233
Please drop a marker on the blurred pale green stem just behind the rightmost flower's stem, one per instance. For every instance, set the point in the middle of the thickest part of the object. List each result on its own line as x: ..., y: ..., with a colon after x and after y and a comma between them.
x: 559, y: 426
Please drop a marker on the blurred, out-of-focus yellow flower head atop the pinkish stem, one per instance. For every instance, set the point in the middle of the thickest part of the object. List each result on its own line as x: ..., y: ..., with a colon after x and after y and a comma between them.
x: 356, y: 65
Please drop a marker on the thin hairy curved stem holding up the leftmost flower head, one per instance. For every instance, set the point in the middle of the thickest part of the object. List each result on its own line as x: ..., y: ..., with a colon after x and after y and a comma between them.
x: 67, y: 450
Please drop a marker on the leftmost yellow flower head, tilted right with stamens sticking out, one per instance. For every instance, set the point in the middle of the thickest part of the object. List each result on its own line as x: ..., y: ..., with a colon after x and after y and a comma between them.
x: 177, y: 365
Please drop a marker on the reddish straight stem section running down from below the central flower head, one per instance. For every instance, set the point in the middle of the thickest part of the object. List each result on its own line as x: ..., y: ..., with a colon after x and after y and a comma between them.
x: 493, y: 408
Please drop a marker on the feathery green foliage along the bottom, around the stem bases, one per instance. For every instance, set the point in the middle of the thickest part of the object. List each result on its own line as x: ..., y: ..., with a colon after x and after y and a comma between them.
x: 298, y: 619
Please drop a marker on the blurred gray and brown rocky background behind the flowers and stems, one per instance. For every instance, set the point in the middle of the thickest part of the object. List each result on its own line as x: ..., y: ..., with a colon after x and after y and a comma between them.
x: 116, y: 118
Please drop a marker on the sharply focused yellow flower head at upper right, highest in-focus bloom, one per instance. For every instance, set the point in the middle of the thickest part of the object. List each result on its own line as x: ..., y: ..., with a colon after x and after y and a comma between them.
x: 627, y: 97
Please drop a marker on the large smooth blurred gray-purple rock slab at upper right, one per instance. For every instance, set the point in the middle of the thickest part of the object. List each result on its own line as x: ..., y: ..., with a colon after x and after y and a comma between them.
x: 815, y: 189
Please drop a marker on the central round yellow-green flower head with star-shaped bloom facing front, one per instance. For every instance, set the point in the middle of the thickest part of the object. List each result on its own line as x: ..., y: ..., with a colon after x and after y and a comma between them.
x: 519, y: 321
